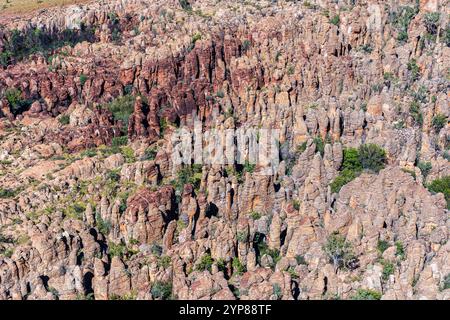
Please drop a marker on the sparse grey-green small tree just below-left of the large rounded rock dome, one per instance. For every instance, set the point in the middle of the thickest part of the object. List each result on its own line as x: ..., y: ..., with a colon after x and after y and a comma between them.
x: 339, y: 251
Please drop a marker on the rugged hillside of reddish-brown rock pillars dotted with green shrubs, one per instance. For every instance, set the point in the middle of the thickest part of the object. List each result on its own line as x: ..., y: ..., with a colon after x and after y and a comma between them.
x: 92, y: 205
